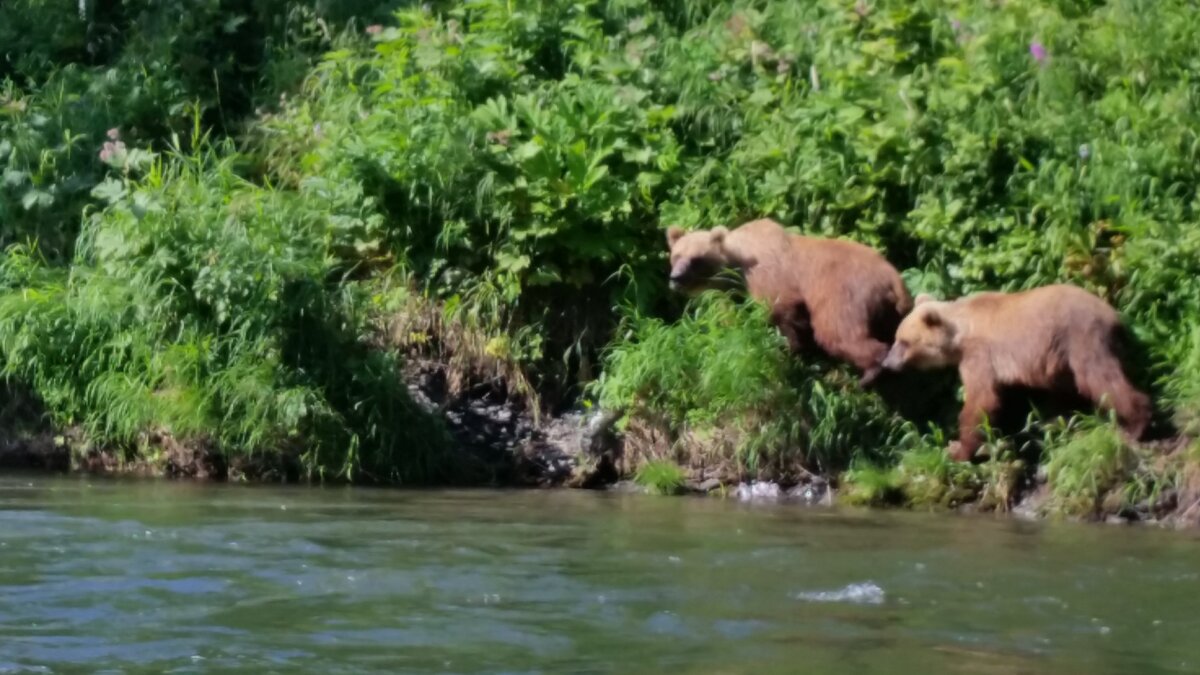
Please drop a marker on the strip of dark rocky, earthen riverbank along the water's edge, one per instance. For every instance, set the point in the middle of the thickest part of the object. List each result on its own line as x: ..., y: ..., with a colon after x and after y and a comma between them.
x: 500, y: 444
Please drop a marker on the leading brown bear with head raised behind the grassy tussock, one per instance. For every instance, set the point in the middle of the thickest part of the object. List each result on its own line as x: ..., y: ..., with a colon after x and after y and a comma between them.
x: 843, y: 296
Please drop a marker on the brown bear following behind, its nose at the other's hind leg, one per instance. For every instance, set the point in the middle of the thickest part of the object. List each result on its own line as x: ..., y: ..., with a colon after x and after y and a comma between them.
x: 1059, y: 339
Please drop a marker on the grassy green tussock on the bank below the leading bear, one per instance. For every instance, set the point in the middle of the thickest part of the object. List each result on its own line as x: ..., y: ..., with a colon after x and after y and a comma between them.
x: 719, y: 386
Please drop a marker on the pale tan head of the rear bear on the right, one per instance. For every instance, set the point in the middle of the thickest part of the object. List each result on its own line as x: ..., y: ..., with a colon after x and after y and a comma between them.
x: 927, y: 339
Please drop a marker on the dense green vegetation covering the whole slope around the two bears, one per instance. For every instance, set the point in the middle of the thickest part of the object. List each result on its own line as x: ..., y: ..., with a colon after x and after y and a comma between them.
x: 215, y: 212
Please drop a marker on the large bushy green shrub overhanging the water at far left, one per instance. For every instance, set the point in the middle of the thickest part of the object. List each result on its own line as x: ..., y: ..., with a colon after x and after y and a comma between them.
x: 203, y: 306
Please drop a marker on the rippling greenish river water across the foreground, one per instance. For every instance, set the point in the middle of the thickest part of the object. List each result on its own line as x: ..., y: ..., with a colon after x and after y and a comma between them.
x: 155, y: 577
